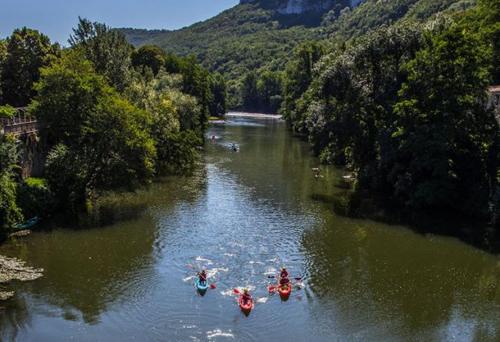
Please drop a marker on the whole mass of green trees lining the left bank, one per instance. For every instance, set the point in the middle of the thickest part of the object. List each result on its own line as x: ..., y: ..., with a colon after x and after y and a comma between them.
x: 112, y: 117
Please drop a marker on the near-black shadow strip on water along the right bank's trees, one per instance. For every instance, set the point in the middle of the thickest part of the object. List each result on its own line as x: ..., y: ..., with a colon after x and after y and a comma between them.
x: 361, y: 205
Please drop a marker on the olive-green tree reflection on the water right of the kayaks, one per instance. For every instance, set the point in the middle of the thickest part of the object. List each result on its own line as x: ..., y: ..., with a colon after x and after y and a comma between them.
x: 401, y: 281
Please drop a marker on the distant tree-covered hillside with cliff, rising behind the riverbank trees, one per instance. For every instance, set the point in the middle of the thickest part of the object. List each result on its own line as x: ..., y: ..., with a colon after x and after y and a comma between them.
x: 261, y: 35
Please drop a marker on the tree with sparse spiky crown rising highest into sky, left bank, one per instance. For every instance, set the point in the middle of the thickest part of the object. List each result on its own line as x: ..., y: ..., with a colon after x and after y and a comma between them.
x: 107, y: 49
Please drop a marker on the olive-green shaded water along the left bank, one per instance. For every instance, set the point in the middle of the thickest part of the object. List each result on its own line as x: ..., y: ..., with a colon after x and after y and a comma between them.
x: 110, y: 256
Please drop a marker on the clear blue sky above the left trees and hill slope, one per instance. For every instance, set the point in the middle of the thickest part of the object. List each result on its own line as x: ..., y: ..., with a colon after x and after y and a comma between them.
x: 56, y: 17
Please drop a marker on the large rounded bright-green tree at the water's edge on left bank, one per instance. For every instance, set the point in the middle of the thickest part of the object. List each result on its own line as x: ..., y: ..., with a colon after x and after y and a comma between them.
x: 102, y: 141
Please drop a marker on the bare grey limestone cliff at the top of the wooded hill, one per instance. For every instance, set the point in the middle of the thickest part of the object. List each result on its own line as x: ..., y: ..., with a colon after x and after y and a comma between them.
x: 302, y: 6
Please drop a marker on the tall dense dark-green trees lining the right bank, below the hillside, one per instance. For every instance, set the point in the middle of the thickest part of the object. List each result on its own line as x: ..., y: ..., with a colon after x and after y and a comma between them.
x: 405, y: 109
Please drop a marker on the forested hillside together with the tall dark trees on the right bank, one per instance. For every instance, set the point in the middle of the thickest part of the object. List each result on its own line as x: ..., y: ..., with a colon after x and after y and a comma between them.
x: 395, y: 91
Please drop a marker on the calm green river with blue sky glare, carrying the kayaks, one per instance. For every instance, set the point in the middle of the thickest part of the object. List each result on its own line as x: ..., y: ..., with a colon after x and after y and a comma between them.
x: 241, y: 216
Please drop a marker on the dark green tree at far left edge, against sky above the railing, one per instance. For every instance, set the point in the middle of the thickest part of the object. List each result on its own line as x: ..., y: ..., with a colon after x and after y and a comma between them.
x: 27, y: 51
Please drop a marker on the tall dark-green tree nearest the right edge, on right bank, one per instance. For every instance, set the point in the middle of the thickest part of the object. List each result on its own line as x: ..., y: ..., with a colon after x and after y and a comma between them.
x: 444, y: 132
